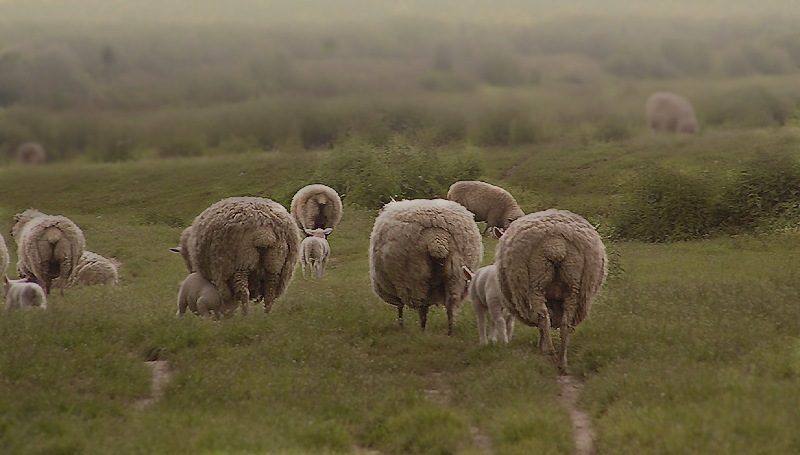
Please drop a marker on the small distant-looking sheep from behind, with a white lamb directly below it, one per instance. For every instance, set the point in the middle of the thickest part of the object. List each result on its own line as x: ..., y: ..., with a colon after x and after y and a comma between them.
x: 317, y: 207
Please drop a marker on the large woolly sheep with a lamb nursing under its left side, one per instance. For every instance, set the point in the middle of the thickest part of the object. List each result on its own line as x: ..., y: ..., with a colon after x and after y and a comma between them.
x: 247, y: 247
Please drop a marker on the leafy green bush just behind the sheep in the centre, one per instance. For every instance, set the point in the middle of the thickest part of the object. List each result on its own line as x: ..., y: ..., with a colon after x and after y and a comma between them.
x: 370, y: 175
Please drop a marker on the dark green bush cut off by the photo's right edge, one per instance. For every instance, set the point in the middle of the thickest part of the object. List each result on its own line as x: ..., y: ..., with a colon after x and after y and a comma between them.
x: 767, y: 187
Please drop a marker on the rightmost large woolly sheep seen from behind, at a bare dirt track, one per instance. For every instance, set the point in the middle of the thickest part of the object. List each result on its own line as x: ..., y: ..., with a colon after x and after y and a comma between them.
x: 550, y: 265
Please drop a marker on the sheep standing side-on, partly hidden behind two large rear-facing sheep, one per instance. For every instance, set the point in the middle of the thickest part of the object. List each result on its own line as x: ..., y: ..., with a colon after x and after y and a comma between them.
x: 487, y: 202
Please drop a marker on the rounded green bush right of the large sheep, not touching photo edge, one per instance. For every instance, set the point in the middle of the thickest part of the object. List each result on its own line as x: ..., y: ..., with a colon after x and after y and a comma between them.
x: 665, y: 205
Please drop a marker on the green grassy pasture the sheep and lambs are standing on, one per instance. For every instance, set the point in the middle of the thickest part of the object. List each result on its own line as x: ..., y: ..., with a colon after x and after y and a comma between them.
x: 691, y: 347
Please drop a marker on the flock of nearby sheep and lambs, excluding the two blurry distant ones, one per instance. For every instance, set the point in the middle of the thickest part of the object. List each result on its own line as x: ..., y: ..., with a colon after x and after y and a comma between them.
x: 549, y: 265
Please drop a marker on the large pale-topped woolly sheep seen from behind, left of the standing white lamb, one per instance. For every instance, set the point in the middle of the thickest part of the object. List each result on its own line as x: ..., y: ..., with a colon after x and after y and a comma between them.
x: 417, y: 249
